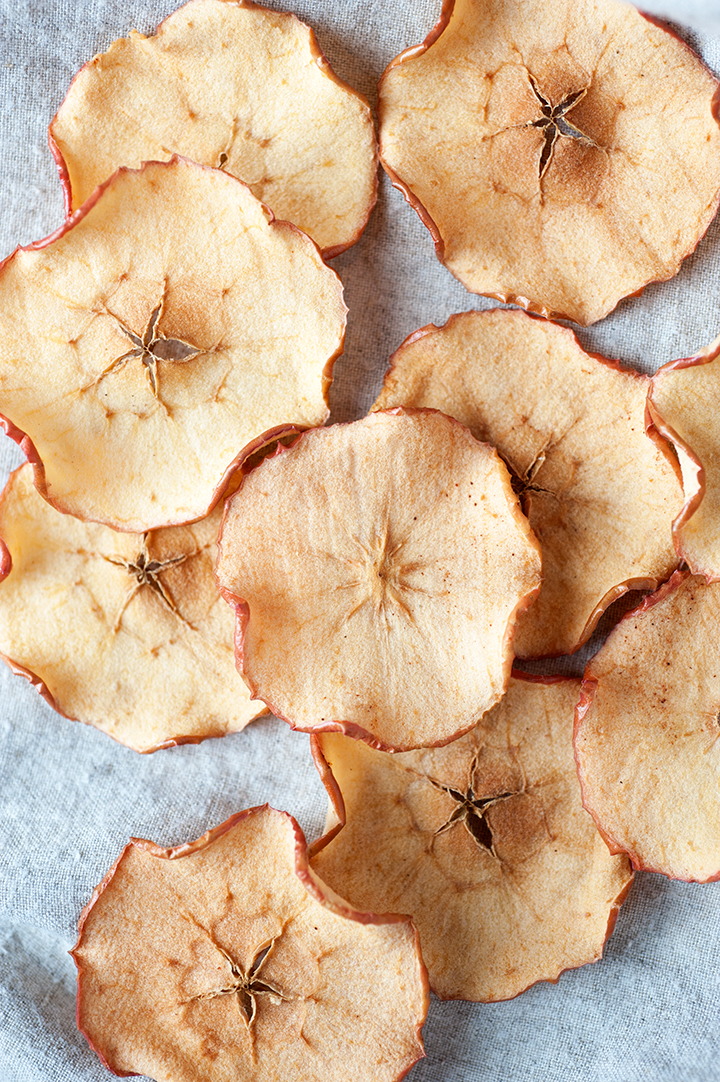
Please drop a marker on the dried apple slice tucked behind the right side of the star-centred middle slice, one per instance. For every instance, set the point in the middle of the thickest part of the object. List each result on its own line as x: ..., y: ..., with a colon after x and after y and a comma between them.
x: 599, y: 495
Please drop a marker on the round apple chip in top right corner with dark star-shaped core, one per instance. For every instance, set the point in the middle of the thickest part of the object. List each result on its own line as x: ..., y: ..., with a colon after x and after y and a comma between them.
x: 562, y: 156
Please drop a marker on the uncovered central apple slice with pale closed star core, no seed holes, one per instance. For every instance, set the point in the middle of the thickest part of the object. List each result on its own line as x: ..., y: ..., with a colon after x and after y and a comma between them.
x: 377, y: 570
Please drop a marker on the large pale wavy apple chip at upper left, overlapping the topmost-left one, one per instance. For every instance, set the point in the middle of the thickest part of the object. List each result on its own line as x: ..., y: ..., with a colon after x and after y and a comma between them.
x: 149, y: 342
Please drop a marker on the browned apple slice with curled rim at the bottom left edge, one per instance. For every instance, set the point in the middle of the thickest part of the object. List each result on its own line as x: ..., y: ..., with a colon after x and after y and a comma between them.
x: 227, y: 960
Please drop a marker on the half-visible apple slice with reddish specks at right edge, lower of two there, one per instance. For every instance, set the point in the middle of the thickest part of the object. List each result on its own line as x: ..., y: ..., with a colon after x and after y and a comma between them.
x: 647, y: 733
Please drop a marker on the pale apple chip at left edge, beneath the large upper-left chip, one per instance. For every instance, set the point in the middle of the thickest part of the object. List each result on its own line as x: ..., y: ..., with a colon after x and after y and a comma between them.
x: 126, y: 632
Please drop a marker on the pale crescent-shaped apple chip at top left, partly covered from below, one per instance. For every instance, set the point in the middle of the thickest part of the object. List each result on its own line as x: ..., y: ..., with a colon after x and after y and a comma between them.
x: 233, y: 86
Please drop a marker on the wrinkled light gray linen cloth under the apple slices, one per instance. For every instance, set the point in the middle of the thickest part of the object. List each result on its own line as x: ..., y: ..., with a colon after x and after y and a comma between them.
x: 70, y: 797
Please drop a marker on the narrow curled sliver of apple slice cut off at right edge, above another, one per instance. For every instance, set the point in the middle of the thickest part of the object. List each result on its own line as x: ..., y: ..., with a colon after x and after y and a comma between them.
x: 684, y: 405
